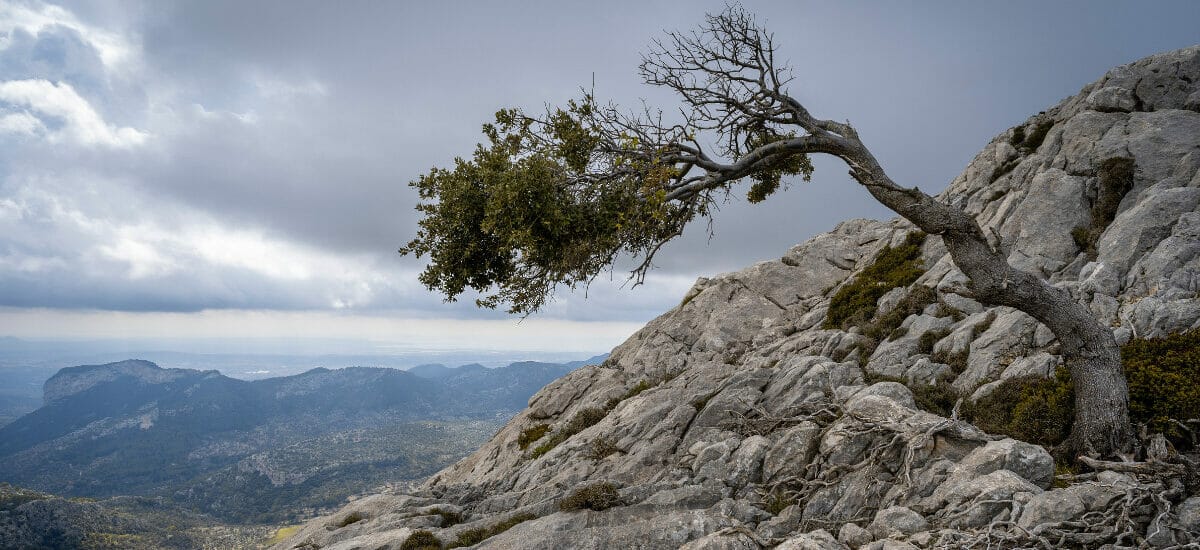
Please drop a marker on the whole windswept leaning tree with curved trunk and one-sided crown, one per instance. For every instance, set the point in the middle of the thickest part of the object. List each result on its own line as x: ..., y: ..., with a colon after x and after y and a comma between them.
x: 554, y: 199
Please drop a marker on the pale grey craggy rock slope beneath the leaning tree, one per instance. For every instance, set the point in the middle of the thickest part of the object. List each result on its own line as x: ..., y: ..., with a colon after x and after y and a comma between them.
x: 739, y: 421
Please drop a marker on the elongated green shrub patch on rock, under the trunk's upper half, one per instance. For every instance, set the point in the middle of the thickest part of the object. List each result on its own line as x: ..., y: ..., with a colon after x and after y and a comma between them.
x: 855, y: 303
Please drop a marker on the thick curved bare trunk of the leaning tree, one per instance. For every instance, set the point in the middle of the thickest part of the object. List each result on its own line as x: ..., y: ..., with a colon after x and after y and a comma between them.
x: 1102, y: 398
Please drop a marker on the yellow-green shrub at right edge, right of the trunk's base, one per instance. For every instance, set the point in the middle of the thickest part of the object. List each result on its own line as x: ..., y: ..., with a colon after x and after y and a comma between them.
x: 1162, y: 375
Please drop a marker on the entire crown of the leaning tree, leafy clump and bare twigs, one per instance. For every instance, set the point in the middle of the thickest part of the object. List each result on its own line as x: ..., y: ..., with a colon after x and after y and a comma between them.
x: 557, y: 198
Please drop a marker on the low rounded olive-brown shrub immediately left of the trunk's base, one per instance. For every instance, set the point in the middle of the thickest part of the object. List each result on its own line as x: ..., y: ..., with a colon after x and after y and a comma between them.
x: 1030, y: 409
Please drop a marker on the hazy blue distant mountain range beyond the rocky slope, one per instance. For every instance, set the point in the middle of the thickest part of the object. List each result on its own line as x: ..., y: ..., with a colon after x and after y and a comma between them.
x: 256, y: 451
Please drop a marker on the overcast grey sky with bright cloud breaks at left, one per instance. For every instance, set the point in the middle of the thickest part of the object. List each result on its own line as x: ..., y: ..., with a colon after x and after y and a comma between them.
x: 239, y: 170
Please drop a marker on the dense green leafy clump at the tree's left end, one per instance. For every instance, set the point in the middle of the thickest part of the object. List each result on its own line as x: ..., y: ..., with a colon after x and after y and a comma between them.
x: 529, y: 212
